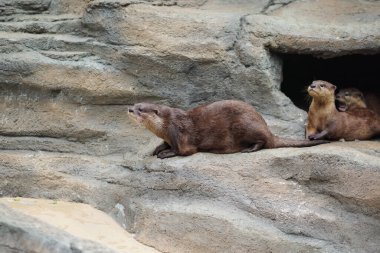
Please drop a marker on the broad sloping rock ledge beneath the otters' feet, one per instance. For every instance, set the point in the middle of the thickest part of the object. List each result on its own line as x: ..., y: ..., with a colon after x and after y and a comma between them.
x: 322, y: 199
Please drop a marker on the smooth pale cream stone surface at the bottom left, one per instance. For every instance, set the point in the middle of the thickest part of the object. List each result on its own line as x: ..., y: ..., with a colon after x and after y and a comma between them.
x: 79, y: 220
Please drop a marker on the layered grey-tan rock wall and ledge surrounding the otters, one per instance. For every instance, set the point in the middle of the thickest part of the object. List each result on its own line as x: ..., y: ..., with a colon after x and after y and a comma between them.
x: 70, y: 68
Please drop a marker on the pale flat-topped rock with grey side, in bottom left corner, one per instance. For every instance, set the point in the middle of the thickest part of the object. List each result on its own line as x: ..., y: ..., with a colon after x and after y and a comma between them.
x: 82, y: 224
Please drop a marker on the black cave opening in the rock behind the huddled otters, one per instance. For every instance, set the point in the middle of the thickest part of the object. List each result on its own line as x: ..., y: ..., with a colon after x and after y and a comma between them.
x: 360, y: 71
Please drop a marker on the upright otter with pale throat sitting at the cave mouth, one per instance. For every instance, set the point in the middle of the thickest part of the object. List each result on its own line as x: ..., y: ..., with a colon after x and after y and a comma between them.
x: 325, y: 122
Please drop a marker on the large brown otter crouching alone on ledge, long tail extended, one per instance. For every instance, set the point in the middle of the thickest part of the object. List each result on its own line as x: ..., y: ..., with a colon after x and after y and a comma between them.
x: 226, y: 126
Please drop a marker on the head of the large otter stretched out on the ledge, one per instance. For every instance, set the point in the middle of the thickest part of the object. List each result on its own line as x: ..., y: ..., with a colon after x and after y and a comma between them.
x: 148, y: 115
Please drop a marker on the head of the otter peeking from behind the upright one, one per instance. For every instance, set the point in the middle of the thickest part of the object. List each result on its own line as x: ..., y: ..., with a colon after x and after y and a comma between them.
x: 350, y: 98
